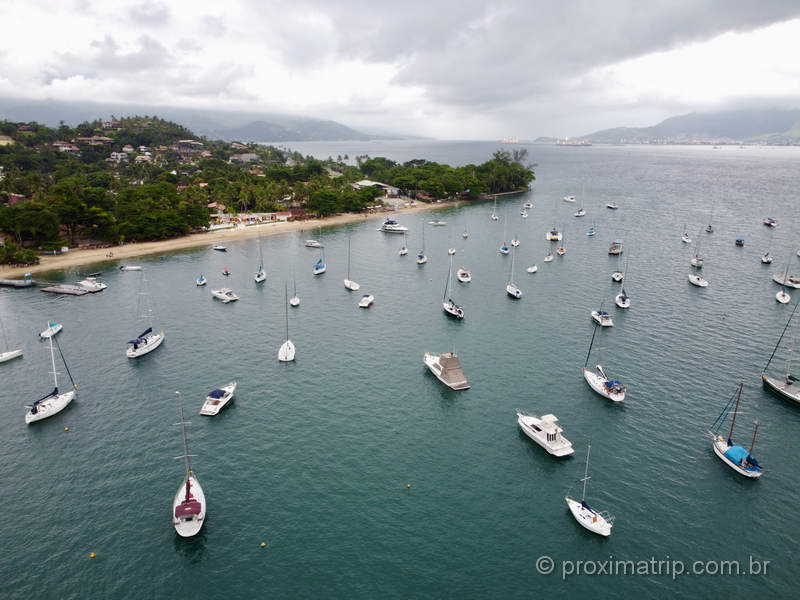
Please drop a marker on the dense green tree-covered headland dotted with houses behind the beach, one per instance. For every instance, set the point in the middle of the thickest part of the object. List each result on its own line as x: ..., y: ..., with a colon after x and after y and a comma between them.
x: 144, y: 178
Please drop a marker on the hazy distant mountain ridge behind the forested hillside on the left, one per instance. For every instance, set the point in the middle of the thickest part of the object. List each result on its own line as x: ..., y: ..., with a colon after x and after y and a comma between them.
x: 215, y: 124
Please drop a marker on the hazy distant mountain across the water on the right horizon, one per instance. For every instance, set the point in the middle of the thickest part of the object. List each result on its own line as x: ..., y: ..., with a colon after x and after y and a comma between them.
x: 769, y: 126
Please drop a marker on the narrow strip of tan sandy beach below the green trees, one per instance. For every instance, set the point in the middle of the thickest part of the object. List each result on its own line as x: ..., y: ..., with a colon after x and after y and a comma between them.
x: 76, y: 258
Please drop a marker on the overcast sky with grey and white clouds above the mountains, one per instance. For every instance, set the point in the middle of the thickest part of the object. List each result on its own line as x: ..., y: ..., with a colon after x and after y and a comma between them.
x: 458, y: 69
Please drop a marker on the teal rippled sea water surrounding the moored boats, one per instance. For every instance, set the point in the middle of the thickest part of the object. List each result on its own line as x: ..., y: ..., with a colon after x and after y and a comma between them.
x: 314, y: 457
